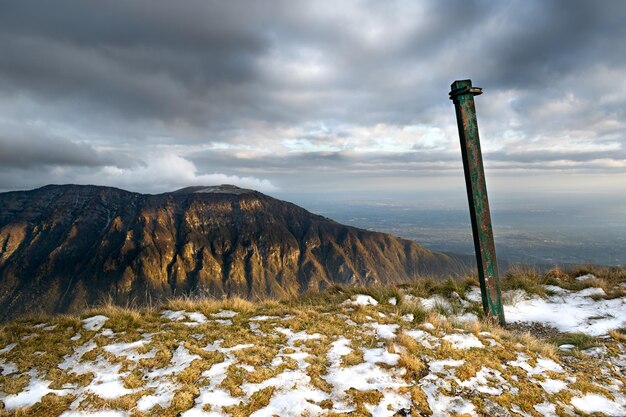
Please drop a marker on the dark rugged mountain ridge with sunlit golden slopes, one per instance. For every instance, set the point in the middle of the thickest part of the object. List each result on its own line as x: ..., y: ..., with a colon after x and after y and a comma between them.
x: 64, y: 247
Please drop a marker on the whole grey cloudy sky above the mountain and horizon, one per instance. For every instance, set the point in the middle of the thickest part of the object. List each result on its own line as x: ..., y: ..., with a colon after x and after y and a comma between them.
x: 336, y: 97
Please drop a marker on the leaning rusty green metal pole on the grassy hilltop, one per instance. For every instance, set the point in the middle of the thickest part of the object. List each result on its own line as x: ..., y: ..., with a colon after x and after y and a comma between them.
x: 462, y: 94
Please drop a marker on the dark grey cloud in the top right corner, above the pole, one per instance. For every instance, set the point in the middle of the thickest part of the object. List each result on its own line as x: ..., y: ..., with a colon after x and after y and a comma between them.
x: 545, y: 41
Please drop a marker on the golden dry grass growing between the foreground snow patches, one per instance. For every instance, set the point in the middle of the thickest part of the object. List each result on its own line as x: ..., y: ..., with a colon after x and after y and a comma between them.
x: 321, y: 313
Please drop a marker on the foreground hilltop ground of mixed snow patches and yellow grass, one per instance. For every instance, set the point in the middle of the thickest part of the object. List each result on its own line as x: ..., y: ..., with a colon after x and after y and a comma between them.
x: 360, y: 357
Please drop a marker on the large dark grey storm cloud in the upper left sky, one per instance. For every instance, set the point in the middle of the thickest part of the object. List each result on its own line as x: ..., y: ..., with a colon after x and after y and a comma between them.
x: 140, y: 59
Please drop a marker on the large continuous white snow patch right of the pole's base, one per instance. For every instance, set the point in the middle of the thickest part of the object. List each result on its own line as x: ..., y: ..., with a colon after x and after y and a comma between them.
x: 571, y: 311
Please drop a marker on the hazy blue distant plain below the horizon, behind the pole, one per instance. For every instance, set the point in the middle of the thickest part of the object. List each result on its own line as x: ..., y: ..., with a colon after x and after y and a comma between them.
x: 562, y: 235
